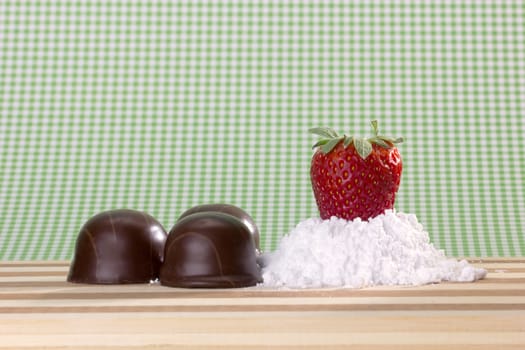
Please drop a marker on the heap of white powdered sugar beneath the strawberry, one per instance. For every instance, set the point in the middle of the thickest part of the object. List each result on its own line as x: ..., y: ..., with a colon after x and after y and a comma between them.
x: 390, y: 249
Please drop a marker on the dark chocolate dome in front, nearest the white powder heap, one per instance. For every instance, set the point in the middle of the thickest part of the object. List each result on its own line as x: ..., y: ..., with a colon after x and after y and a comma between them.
x: 210, y: 250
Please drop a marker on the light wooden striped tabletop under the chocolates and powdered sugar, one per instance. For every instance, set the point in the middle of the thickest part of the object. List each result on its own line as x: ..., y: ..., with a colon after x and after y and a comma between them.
x: 39, y: 309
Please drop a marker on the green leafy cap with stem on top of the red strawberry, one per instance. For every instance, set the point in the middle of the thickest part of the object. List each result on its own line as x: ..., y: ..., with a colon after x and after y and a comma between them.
x: 364, y: 147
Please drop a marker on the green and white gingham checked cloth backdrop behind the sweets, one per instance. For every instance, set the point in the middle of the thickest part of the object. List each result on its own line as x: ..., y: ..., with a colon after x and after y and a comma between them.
x: 159, y: 106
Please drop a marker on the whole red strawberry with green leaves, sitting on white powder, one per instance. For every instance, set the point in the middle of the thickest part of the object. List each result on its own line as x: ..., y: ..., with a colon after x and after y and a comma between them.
x: 354, y: 177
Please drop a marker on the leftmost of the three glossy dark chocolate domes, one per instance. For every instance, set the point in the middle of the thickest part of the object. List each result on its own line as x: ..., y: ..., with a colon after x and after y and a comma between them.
x: 117, y: 247
